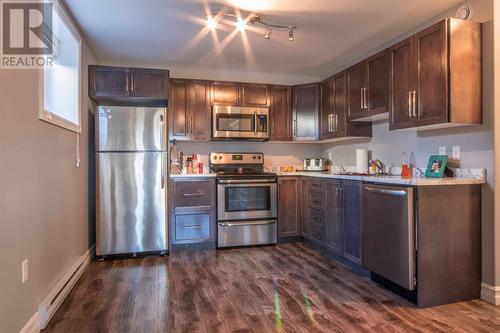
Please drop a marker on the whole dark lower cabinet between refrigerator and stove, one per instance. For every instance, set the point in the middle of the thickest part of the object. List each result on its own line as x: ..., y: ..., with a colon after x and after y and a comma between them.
x: 192, y: 213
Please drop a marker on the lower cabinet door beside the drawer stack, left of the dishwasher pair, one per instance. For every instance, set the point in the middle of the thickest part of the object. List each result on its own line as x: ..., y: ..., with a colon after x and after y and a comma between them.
x: 333, y: 217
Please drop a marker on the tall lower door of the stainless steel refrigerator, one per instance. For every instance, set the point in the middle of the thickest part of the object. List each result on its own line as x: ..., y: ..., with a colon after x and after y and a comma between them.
x: 131, y: 203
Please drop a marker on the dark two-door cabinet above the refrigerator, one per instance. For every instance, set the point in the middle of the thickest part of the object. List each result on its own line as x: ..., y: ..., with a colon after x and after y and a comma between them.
x: 128, y: 86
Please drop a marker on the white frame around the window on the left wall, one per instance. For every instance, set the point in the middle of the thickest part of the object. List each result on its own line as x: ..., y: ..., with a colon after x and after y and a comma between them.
x: 46, y: 115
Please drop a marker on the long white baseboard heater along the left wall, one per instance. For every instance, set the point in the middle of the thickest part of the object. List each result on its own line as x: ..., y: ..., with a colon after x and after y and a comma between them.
x: 56, y: 296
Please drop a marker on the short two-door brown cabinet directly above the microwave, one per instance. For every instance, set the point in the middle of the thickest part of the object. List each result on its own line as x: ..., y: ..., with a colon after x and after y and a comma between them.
x: 240, y: 94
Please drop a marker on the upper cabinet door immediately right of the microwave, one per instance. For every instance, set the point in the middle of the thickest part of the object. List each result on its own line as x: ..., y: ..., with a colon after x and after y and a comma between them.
x: 280, y: 114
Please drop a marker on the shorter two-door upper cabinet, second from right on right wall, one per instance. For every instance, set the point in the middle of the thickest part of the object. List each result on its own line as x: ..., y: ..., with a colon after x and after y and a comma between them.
x: 368, y: 89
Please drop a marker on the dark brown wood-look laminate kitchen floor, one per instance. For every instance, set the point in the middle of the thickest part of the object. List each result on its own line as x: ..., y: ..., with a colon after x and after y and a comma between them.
x: 283, y: 288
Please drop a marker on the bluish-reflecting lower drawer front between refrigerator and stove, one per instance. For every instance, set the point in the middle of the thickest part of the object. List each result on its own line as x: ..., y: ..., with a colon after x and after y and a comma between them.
x: 192, y: 227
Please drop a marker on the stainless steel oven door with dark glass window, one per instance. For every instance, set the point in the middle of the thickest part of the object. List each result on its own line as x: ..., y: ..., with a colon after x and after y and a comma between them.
x: 246, y: 199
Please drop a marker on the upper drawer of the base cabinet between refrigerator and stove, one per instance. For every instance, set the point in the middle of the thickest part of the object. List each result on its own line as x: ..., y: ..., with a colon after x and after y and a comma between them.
x: 193, y: 193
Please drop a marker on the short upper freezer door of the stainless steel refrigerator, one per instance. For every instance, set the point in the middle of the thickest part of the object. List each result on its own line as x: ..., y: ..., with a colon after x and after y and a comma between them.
x: 130, y: 129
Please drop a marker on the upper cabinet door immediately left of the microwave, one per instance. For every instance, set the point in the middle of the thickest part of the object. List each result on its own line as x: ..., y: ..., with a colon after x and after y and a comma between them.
x: 200, y: 111
